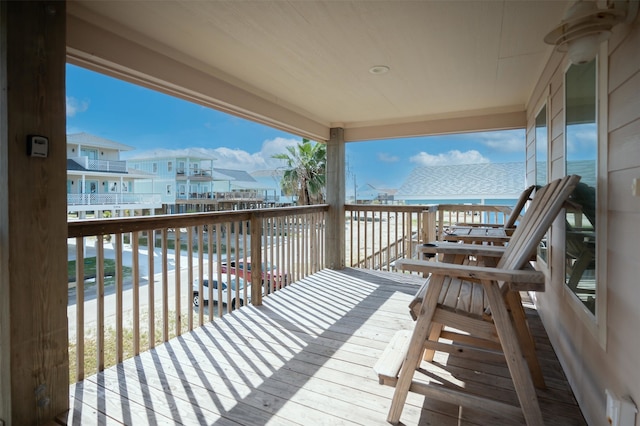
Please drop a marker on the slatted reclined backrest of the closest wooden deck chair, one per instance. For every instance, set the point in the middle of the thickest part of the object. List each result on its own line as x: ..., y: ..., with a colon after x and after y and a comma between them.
x: 546, y: 204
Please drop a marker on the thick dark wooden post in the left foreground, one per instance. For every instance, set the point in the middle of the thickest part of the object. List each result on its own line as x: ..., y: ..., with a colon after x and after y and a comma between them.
x: 34, y: 359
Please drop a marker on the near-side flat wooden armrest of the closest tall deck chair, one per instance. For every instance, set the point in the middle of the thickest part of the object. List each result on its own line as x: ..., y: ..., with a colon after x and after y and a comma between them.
x: 517, y: 279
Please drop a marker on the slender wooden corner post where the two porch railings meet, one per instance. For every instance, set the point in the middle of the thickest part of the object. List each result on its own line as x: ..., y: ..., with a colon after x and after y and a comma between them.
x: 335, y: 183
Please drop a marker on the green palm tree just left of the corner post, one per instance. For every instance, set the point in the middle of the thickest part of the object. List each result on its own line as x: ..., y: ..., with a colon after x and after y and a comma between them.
x: 304, y: 174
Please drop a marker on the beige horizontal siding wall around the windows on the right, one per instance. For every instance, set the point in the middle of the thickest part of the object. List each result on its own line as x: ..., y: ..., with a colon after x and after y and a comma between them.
x: 594, y: 364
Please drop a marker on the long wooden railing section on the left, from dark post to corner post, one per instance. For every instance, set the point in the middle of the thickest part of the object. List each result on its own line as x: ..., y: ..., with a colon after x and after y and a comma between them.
x: 142, y: 301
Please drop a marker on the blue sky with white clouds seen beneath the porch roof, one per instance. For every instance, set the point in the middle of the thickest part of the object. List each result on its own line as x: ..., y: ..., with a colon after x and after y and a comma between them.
x: 148, y: 120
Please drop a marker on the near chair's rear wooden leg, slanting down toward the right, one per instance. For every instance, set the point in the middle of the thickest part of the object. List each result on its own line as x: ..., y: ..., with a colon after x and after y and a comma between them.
x: 516, y: 362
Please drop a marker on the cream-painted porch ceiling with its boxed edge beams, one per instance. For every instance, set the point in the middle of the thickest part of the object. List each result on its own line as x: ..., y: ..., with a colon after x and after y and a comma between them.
x: 303, y: 66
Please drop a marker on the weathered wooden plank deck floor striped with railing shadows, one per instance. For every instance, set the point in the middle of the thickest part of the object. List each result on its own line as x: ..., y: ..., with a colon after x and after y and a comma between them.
x: 303, y: 358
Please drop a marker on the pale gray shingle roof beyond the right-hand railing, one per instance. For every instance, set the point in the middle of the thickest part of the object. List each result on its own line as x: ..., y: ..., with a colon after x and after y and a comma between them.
x: 486, y: 180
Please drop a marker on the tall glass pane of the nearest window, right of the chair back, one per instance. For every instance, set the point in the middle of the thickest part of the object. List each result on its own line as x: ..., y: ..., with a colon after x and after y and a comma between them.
x: 581, y: 135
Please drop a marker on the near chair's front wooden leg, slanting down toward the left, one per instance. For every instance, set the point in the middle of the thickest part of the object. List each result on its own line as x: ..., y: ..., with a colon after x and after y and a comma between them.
x: 416, y: 348
